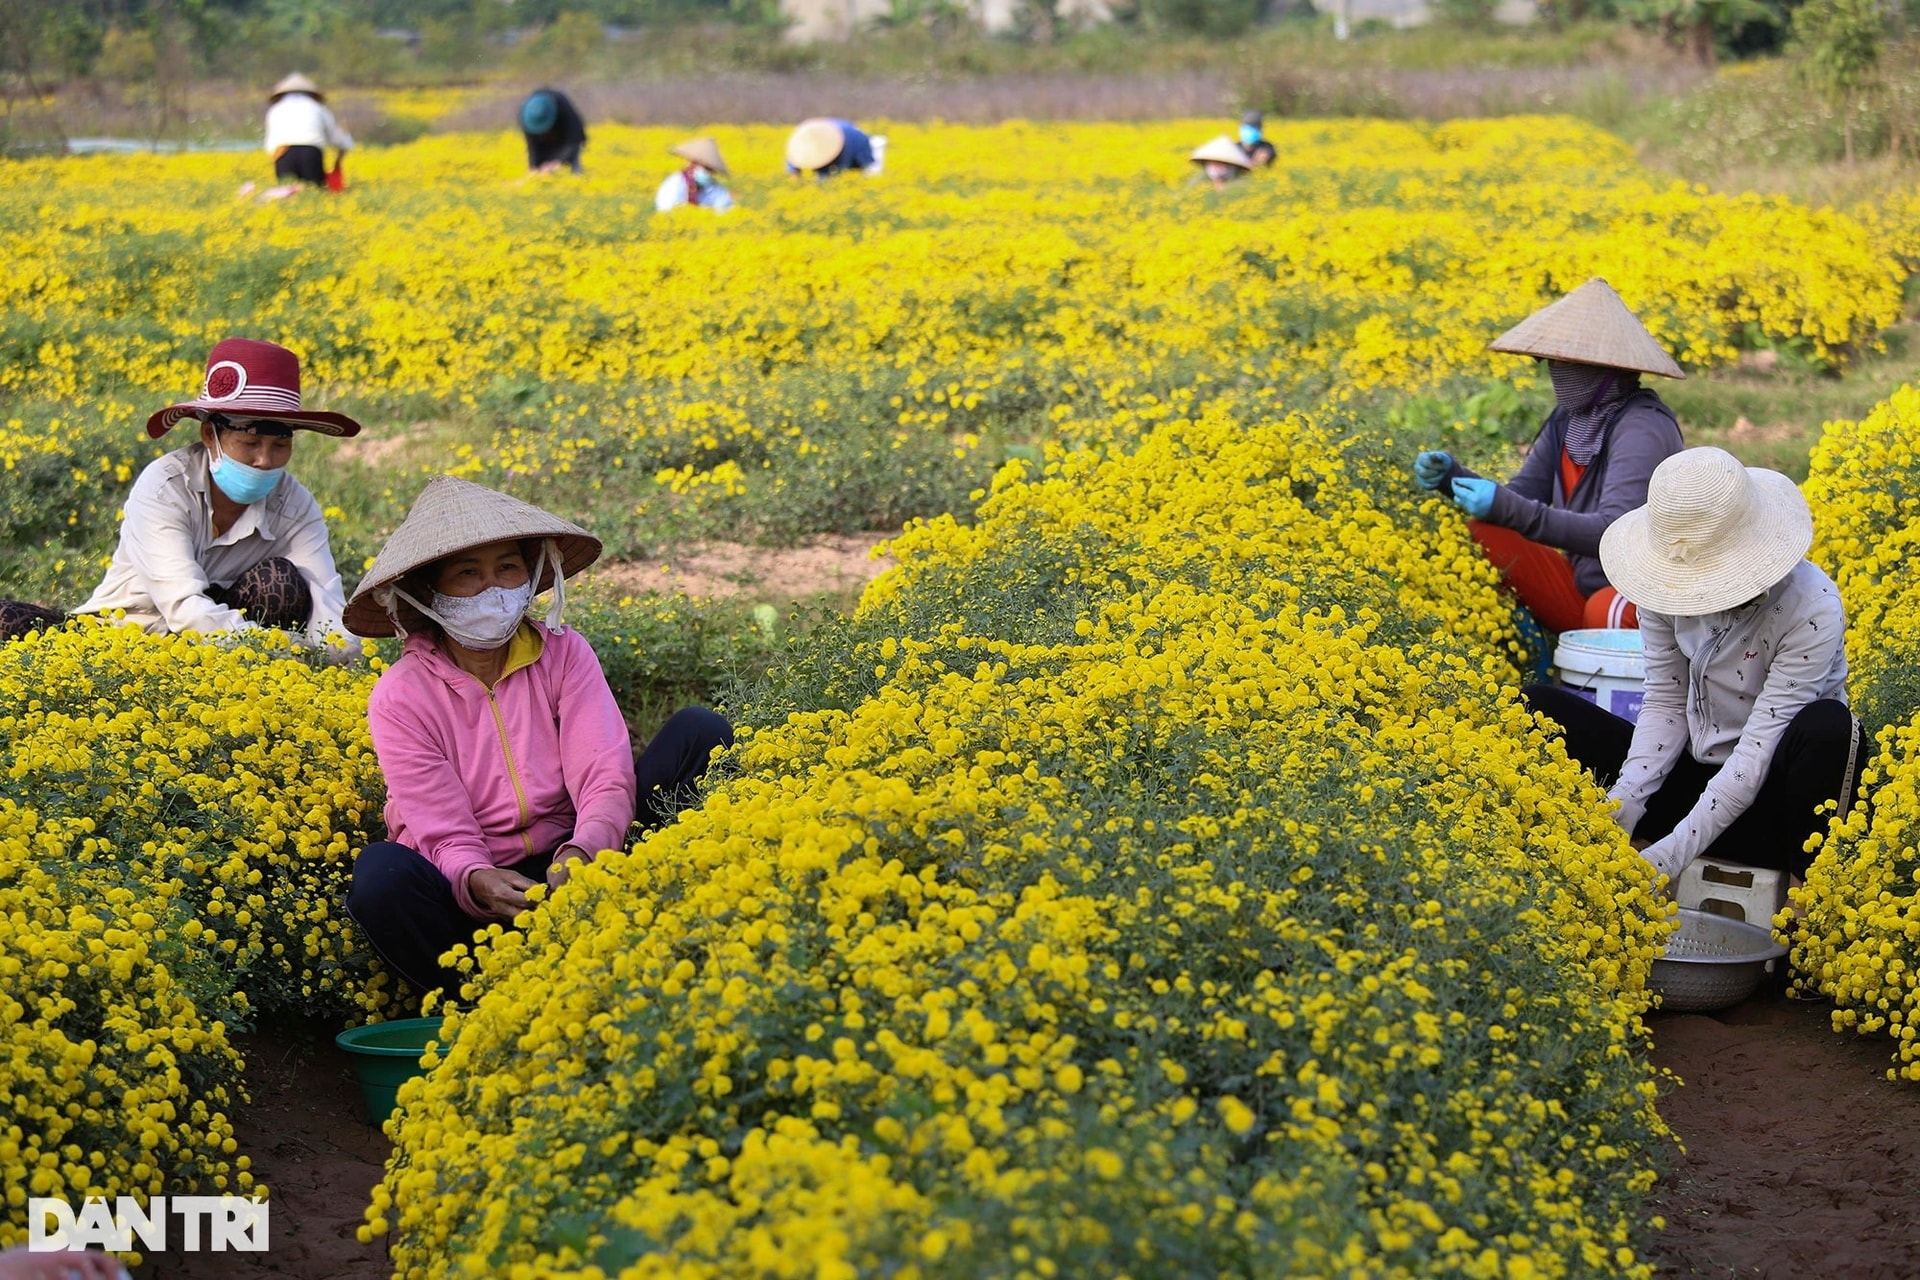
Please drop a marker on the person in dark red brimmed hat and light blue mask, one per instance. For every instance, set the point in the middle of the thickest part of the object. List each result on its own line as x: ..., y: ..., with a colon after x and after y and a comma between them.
x: 216, y: 536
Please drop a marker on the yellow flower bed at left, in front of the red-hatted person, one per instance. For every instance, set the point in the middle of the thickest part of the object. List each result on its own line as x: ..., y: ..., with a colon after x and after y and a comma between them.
x: 178, y: 820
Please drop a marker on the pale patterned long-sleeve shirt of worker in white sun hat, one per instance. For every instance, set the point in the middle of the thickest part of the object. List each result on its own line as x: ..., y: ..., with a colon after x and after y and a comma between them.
x: 1725, y: 688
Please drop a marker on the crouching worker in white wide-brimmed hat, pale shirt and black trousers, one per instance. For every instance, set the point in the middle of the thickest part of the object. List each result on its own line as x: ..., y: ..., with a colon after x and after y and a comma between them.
x: 1744, y: 736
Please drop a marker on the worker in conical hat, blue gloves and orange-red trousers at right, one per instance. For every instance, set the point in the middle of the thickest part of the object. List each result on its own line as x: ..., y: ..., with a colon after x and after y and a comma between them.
x: 1589, y: 465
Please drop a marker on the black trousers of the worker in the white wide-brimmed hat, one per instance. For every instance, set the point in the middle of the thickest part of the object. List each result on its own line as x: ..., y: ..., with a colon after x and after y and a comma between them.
x: 1819, y: 759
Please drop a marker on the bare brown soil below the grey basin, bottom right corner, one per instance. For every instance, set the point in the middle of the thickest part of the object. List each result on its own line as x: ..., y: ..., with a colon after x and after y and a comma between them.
x: 1802, y: 1158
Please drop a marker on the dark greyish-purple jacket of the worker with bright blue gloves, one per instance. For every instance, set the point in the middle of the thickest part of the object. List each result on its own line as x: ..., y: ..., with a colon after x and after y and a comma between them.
x: 1535, y: 506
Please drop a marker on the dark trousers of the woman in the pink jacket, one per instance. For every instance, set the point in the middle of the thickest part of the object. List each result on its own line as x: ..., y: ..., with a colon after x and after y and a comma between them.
x: 406, y: 907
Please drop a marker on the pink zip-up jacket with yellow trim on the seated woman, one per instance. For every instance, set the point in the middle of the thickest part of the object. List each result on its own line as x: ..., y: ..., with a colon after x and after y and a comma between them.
x: 485, y: 778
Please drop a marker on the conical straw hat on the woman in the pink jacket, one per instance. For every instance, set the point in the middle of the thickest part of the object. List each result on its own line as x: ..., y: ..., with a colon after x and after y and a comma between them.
x: 454, y: 515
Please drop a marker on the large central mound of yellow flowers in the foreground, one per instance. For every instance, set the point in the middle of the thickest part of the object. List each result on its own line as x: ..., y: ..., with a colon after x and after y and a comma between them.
x: 1153, y: 880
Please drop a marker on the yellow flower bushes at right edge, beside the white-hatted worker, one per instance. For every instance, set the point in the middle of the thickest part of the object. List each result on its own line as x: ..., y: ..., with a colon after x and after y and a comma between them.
x: 1860, y: 943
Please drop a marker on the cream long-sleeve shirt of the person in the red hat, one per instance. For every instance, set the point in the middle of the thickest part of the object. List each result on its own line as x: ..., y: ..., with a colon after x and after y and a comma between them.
x: 168, y: 554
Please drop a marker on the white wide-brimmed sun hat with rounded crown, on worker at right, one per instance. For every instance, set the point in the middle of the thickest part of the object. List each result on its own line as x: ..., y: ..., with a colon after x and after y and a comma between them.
x: 1714, y: 534
